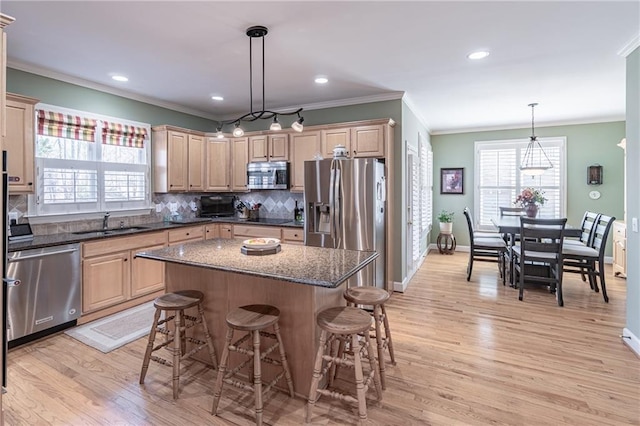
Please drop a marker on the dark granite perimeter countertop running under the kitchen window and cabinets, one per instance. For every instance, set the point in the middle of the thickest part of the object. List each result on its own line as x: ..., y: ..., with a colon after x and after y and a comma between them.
x: 40, y: 241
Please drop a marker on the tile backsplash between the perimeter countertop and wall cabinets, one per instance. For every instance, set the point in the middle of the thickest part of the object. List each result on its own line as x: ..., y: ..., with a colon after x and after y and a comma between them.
x: 275, y: 204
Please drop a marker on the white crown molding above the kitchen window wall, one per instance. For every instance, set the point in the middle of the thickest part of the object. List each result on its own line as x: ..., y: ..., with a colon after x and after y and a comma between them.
x: 104, y: 88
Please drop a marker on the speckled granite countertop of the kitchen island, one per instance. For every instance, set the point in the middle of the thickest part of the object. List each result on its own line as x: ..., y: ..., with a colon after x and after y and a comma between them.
x: 324, y: 267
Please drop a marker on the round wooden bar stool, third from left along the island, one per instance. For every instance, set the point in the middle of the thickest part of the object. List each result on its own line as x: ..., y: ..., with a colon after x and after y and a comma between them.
x: 337, y: 325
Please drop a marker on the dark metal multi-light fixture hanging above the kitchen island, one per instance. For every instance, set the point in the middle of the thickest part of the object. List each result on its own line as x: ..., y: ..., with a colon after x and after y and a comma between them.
x: 259, y: 31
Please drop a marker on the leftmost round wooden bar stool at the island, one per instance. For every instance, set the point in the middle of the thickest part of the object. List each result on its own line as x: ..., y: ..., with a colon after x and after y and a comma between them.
x: 175, y: 337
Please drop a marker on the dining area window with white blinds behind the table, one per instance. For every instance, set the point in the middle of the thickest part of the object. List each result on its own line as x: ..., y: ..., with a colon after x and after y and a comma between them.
x: 499, y: 180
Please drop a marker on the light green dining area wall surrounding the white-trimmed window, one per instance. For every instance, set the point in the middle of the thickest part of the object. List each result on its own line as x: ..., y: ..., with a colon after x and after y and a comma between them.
x: 586, y: 144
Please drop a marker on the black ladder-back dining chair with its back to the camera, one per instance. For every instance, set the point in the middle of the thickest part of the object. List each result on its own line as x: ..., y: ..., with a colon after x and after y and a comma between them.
x: 538, y: 257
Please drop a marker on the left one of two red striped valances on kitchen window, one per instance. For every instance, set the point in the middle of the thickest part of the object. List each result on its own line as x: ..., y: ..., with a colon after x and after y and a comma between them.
x: 66, y: 126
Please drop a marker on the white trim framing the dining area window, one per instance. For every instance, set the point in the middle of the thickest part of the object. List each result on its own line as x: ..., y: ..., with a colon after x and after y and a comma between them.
x: 562, y: 140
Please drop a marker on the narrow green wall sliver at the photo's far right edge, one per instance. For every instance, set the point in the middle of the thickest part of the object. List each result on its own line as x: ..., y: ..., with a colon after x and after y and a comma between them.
x: 633, y: 194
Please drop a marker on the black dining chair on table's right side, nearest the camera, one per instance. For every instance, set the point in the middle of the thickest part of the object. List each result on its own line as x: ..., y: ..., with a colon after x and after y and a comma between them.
x: 590, y: 258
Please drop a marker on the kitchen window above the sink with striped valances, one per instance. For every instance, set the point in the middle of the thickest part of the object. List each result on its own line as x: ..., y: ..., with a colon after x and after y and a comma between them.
x: 87, y: 163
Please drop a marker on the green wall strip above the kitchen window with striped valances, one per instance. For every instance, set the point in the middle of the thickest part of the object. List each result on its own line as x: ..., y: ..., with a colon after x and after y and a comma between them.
x: 55, y: 92
